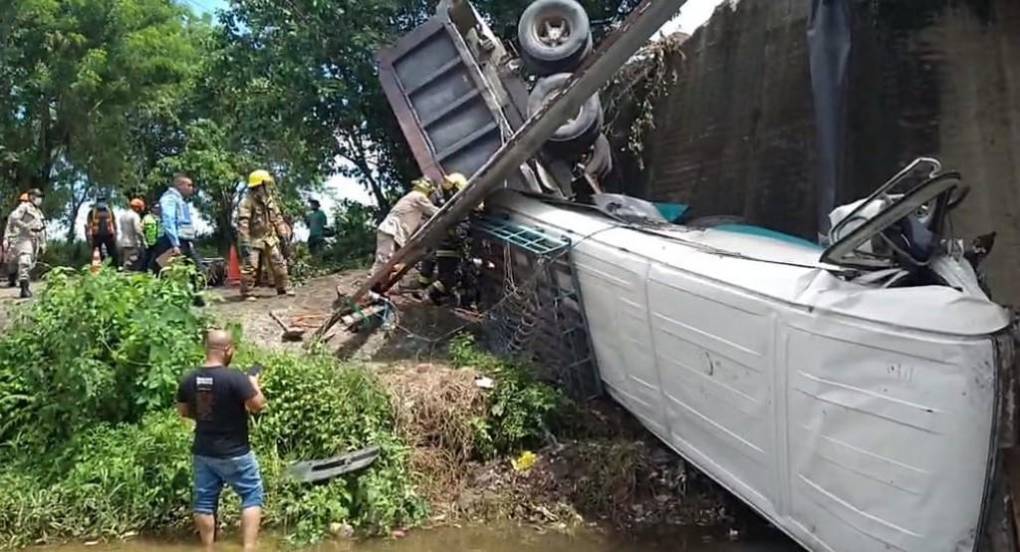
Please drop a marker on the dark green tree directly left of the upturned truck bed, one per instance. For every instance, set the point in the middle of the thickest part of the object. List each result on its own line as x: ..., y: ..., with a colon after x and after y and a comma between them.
x: 304, y: 74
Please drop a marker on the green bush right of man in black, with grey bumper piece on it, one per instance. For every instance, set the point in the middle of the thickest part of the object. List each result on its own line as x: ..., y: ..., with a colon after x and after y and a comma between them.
x: 320, y: 411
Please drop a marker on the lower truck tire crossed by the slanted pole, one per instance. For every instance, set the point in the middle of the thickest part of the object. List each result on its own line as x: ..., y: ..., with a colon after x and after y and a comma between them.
x: 577, y: 135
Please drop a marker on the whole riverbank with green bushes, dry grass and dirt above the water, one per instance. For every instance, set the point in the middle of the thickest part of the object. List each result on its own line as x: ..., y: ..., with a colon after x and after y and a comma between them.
x: 467, y: 438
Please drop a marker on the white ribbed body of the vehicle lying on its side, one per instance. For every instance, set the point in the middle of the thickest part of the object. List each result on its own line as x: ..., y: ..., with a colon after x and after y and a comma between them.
x: 852, y: 417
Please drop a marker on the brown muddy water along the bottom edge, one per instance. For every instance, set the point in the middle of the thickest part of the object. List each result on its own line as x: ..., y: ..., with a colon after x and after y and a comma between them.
x: 486, y: 539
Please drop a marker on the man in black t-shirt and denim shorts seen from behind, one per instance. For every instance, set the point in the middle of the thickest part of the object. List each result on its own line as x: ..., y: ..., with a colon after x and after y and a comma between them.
x: 219, y: 399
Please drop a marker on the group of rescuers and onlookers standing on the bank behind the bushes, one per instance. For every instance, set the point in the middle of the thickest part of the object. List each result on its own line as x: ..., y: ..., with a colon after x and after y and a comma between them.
x: 147, y: 238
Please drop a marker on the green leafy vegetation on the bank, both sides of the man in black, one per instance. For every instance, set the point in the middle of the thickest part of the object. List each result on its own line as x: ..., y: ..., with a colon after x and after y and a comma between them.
x: 91, y: 447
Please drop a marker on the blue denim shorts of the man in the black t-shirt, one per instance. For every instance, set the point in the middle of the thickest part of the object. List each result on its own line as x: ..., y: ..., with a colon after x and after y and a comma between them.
x: 241, y: 474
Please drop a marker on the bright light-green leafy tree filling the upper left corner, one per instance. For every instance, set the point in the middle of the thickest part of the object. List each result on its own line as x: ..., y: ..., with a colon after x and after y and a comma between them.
x: 79, y: 79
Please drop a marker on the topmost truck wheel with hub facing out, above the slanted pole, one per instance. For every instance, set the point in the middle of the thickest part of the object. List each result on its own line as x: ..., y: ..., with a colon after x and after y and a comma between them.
x: 554, y: 35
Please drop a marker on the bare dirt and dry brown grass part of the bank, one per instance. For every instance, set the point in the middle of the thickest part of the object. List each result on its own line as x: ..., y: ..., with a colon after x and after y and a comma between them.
x: 598, y: 467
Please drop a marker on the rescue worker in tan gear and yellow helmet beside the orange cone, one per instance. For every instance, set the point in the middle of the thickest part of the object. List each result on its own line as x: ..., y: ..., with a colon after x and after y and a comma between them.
x: 262, y: 233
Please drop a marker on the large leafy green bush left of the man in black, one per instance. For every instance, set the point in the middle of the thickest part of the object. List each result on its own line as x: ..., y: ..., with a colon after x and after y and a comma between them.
x: 95, y: 348
